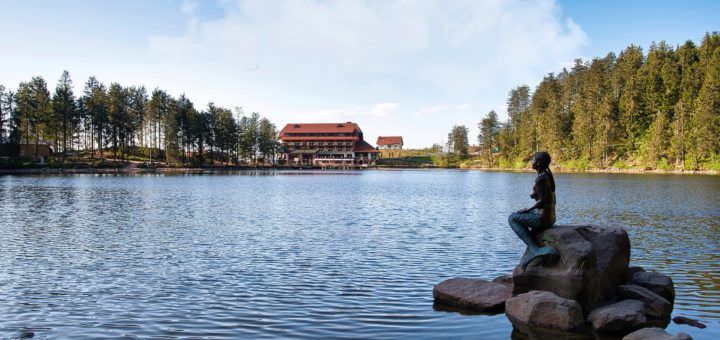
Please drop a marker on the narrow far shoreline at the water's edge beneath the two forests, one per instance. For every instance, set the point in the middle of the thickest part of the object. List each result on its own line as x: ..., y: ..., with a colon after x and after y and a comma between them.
x: 209, y: 170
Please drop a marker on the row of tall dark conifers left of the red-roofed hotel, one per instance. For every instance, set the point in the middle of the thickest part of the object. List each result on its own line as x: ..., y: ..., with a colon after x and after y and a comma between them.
x: 127, y: 121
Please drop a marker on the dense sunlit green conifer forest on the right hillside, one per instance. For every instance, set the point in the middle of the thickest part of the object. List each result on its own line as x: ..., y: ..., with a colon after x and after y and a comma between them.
x: 655, y: 110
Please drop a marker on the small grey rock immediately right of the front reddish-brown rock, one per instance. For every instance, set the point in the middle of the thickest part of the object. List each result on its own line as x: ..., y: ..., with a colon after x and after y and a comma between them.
x: 619, y: 317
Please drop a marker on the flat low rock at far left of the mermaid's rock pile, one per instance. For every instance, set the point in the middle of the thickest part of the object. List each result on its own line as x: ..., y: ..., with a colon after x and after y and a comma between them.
x: 473, y: 294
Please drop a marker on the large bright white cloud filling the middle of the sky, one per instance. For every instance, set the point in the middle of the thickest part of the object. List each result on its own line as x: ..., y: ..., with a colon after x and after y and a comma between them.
x: 340, y: 60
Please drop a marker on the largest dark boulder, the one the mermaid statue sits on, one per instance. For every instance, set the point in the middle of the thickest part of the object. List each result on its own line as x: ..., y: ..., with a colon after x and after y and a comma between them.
x: 593, y: 262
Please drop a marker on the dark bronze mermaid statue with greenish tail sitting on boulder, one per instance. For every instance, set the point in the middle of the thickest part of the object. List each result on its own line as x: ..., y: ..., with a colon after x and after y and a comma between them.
x: 541, y: 215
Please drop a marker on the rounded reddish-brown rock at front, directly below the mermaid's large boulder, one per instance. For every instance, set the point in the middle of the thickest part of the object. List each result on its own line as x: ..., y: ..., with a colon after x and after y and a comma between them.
x: 541, y: 312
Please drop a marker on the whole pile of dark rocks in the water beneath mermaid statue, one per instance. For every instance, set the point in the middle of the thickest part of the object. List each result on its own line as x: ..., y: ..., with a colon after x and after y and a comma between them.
x: 589, y: 291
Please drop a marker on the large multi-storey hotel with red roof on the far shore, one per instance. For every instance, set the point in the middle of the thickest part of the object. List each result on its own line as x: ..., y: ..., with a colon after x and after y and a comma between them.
x: 326, y: 145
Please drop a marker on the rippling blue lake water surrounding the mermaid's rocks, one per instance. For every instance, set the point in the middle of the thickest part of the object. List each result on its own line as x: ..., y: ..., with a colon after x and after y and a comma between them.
x: 314, y: 254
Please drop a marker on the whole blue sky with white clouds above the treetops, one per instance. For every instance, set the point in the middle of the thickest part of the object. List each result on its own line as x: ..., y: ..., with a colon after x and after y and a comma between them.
x: 410, y: 68
